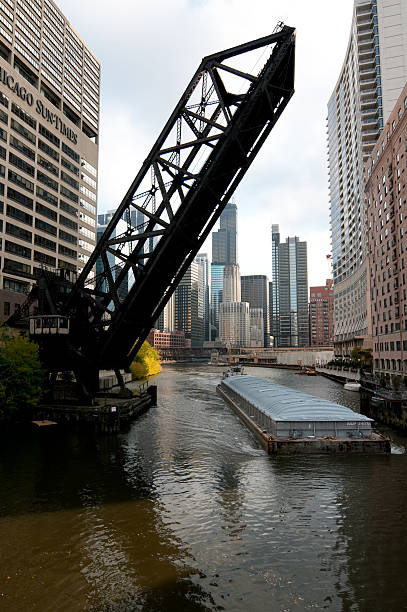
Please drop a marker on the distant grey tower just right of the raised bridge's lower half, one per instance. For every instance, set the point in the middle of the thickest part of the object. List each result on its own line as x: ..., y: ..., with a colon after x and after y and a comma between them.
x: 189, y: 305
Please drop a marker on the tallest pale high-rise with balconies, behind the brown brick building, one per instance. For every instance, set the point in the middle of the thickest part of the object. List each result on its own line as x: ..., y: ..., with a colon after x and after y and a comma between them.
x: 372, y: 76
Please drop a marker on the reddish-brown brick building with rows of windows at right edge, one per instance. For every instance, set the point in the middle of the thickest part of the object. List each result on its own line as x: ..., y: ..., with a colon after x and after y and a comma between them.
x: 386, y: 214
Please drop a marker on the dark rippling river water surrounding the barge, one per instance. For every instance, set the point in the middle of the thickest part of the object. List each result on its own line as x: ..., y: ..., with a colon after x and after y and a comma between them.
x: 186, y: 512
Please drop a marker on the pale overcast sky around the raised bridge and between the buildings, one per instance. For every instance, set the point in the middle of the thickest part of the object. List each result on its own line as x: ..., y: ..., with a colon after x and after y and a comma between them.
x: 149, y: 51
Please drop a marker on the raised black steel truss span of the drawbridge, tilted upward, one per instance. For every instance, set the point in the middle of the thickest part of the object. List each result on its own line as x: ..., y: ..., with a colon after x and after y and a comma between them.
x: 190, y: 174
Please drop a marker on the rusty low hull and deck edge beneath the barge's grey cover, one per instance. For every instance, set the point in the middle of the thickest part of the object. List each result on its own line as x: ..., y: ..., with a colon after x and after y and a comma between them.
x: 373, y: 444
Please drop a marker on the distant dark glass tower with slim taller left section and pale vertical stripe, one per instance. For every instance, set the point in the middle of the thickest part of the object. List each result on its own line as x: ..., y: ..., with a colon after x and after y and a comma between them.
x: 290, y: 284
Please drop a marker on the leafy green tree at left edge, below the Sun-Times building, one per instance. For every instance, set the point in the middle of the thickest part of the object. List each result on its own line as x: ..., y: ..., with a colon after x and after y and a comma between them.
x: 21, y: 375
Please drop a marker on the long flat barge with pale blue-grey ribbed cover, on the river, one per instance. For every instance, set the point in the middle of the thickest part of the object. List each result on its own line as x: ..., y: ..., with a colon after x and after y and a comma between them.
x: 287, y: 421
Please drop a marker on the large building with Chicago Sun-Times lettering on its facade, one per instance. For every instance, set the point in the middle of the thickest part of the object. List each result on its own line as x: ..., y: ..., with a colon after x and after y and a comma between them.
x: 49, y: 117
